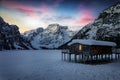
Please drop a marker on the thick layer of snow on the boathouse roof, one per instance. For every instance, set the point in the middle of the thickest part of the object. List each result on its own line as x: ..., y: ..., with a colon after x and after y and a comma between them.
x: 92, y: 42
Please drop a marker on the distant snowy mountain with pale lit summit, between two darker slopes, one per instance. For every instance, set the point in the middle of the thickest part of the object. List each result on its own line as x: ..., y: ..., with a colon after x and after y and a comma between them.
x: 52, y: 37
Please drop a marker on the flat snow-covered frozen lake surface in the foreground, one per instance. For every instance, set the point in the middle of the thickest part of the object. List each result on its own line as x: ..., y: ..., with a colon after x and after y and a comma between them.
x: 47, y: 65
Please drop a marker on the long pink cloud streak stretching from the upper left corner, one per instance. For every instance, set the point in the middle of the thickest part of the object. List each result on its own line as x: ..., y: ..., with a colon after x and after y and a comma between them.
x: 30, y: 11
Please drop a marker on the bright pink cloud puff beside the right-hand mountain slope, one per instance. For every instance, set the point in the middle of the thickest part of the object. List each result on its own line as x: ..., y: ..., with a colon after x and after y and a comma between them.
x: 86, y: 17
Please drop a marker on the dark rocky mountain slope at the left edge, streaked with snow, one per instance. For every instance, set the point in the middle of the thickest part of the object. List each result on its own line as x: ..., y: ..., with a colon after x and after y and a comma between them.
x: 10, y: 37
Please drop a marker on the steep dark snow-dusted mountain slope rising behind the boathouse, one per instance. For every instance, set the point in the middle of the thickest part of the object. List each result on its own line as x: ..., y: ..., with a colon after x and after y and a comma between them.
x: 105, y: 27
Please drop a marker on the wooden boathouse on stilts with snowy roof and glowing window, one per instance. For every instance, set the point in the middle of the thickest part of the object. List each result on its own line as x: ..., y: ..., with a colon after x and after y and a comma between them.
x: 89, y: 50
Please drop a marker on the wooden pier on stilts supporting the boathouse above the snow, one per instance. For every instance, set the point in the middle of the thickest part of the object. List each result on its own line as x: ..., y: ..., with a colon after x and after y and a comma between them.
x: 81, y: 57
